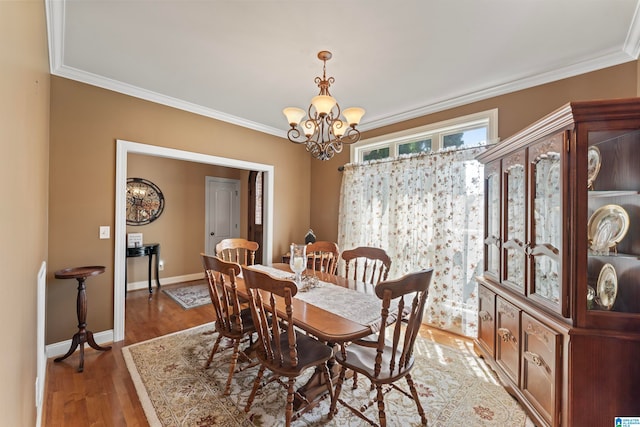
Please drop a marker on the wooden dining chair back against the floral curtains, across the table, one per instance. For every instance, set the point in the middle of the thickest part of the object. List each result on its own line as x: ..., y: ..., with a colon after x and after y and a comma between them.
x: 366, y: 264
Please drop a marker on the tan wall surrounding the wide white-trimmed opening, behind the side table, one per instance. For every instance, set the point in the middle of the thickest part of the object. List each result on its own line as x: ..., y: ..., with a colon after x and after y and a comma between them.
x: 85, y: 123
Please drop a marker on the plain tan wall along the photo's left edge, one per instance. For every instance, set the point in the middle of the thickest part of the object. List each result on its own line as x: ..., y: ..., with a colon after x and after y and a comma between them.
x: 24, y: 136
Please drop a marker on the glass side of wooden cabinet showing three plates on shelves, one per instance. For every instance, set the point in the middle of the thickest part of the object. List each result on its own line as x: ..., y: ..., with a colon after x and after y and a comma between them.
x: 613, y: 233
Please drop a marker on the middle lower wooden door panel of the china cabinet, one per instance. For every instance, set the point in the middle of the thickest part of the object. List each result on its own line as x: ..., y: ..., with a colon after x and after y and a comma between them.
x: 508, y: 338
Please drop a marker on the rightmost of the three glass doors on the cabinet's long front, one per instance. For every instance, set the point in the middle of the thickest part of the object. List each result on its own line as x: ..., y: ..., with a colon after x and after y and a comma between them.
x: 545, y: 246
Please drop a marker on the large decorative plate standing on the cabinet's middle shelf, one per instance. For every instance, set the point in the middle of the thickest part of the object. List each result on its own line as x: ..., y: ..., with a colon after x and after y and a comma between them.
x: 607, y: 227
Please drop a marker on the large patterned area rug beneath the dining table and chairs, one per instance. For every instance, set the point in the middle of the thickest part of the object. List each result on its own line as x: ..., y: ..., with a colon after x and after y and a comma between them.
x: 456, y: 389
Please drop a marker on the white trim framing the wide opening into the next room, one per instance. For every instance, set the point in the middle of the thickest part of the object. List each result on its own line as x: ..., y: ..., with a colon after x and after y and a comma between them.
x: 123, y: 148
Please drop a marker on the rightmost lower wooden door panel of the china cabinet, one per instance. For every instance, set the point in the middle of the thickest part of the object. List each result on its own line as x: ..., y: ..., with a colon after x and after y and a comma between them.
x: 541, y: 351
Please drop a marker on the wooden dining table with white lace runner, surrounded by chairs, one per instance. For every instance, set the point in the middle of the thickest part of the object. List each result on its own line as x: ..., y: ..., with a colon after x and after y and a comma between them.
x: 332, y: 308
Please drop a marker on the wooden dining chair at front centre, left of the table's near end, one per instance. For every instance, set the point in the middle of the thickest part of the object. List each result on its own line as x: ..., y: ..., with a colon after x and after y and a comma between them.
x: 282, y: 349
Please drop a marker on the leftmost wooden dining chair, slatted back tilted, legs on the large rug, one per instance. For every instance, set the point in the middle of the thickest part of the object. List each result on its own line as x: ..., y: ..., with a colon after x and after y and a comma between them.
x: 232, y: 322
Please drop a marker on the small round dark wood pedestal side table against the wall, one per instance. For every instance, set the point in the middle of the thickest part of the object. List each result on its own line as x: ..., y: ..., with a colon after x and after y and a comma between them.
x: 82, y: 336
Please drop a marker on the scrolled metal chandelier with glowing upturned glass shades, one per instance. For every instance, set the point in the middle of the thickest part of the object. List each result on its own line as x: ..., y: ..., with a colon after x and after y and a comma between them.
x: 324, y: 131
